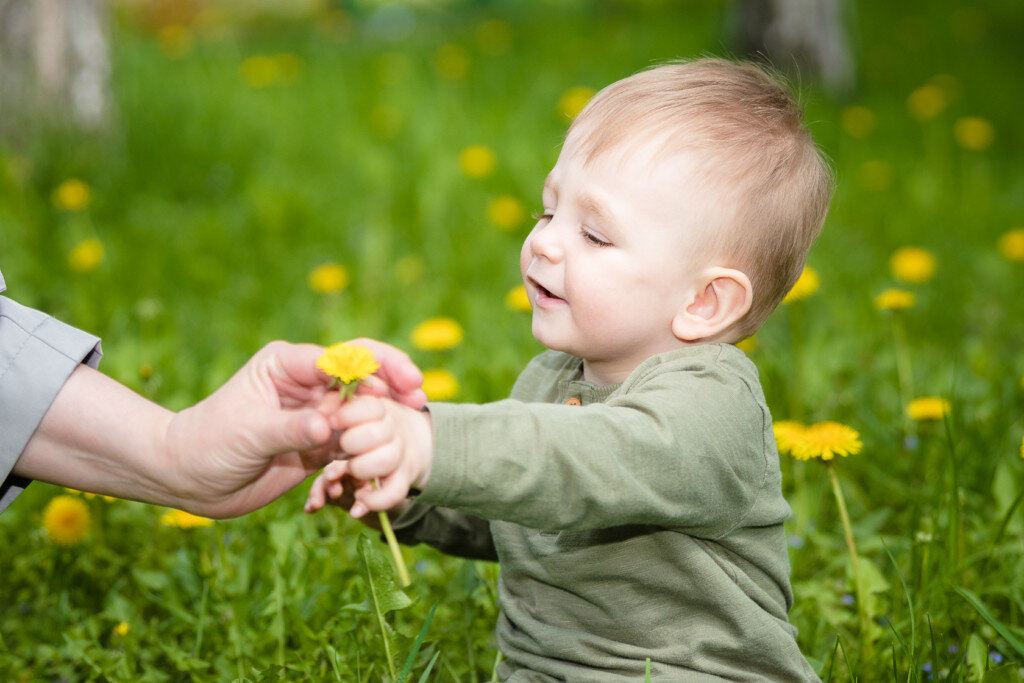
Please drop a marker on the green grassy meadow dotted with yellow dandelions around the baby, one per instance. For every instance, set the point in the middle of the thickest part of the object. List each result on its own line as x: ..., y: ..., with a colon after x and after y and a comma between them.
x: 356, y: 169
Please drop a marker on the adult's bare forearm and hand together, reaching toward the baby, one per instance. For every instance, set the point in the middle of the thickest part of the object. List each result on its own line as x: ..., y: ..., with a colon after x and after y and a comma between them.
x: 254, y: 439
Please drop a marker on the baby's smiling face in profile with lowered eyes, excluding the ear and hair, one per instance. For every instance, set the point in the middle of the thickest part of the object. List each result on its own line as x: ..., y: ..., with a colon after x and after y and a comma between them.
x: 612, y: 262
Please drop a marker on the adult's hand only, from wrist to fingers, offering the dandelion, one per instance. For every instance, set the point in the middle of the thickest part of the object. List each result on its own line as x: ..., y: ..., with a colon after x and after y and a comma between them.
x: 261, y: 435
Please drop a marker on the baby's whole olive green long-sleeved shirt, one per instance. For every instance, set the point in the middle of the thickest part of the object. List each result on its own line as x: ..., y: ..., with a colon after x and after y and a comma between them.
x: 631, y: 522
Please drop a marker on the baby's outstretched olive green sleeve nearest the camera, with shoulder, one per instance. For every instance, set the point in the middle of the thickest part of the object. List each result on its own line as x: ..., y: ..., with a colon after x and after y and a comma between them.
x: 676, y: 446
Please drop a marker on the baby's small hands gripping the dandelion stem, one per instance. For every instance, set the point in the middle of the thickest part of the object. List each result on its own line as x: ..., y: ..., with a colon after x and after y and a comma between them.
x: 389, y: 444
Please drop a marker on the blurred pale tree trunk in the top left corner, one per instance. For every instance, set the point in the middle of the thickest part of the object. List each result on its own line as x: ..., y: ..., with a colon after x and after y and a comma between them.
x: 55, y: 63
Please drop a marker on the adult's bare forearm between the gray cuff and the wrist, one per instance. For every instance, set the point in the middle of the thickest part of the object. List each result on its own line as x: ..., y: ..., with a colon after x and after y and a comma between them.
x: 101, y: 437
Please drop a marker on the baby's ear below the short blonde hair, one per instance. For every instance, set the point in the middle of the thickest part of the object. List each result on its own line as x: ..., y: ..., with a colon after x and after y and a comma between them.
x: 722, y: 297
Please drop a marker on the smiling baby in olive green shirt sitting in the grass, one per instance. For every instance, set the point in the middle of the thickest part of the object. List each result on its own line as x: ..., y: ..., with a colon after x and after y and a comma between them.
x: 630, y: 488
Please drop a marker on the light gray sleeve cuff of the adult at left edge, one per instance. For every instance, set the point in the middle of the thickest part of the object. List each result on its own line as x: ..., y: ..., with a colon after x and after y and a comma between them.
x: 37, y: 355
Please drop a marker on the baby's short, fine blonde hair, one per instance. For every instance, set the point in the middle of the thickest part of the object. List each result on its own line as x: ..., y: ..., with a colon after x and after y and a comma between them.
x: 773, y: 186
